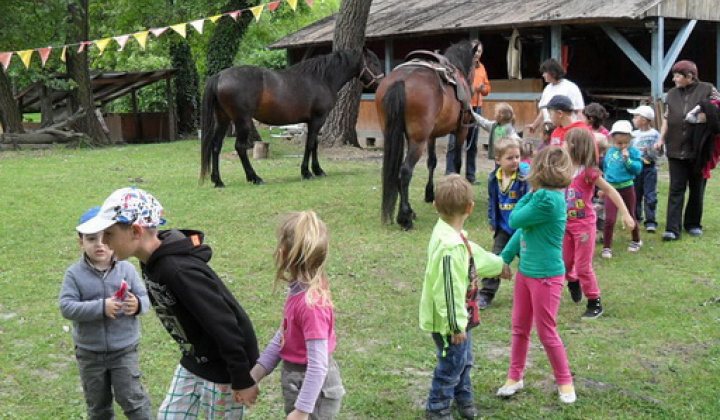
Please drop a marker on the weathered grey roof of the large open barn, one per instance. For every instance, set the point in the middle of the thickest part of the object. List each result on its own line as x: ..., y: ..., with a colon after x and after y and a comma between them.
x: 393, y: 18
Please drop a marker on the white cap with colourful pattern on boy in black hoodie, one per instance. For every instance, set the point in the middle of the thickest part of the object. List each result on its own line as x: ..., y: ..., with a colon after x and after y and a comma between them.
x: 126, y: 205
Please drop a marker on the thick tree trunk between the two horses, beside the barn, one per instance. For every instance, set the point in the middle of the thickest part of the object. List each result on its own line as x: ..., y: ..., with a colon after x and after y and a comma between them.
x: 349, y: 35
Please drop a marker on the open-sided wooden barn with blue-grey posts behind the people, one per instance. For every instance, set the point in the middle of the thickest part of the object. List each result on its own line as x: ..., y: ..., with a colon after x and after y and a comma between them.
x: 619, y: 52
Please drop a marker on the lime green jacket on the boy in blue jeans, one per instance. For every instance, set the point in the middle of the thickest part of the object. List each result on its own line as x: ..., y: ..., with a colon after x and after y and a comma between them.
x: 442, y: 304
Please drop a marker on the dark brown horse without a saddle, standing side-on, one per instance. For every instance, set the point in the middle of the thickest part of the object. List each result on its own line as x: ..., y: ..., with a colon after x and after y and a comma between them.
x: 303, y: 93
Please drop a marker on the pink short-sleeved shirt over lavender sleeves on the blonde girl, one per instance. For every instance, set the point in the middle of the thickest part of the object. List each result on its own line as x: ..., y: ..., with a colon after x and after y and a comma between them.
x: 303, y: 322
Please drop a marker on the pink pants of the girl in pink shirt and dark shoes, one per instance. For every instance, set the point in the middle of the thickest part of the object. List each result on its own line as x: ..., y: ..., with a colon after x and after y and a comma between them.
x: 578, y: 251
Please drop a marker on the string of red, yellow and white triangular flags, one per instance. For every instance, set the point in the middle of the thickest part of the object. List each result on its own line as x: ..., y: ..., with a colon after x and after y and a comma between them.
x: 141, y: 37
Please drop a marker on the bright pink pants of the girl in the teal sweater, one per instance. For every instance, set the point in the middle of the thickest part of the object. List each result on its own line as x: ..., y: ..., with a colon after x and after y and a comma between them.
x: 537, y: 300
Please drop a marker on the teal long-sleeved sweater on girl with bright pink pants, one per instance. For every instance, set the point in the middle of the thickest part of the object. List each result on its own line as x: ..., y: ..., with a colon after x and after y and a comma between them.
x: 539, y: 218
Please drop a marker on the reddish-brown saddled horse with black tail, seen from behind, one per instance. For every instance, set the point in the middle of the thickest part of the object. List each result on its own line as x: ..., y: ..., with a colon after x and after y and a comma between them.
x: 416, y: 106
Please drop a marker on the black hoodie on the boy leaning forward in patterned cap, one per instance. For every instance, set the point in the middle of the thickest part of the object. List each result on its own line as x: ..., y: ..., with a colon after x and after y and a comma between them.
x: 214, y: 332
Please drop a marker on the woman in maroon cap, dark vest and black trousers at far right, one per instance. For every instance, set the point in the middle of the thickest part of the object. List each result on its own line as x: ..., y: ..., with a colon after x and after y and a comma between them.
x: 676, y: 136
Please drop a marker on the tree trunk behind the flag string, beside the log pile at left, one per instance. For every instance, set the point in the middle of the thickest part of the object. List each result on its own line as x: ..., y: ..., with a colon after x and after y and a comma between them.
x: 78, y: 70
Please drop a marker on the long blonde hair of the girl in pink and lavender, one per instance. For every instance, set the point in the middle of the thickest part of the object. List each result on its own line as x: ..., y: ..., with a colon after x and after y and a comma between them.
x: 301, y: 255
